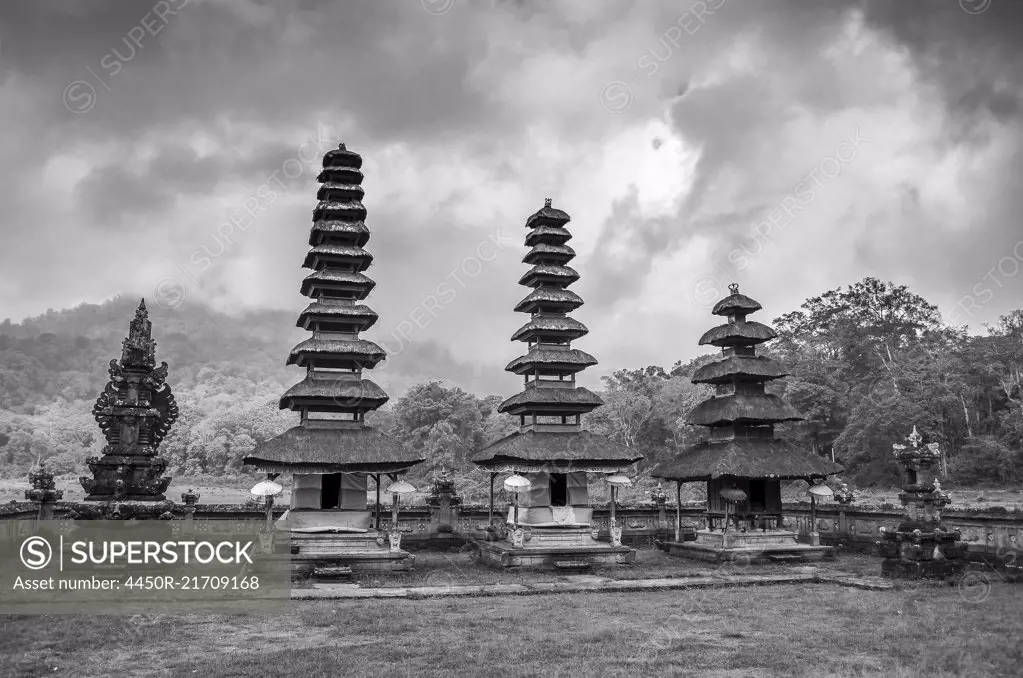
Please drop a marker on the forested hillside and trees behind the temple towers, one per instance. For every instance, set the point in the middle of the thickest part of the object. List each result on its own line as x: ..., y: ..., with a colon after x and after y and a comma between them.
x: 867, y: 364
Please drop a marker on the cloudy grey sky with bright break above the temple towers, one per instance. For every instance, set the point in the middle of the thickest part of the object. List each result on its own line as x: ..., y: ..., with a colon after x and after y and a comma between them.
x: 170, y: 150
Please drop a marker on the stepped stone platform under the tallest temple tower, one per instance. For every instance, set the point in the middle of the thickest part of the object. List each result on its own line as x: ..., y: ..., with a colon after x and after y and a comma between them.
x: 362, y: 553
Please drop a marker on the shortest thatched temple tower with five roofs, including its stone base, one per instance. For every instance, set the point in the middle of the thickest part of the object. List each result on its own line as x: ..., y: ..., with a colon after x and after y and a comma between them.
x: 742, y: 462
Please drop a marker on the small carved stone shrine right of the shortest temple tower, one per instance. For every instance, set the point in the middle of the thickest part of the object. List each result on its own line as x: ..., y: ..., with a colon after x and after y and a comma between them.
x: 921, y: 547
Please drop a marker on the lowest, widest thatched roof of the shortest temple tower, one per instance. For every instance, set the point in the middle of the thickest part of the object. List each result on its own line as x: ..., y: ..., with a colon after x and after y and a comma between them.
x: 749, y: 458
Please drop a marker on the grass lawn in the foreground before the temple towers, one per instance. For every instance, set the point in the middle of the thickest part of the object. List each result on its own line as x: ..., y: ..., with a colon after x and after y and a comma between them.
x: 786, y: 630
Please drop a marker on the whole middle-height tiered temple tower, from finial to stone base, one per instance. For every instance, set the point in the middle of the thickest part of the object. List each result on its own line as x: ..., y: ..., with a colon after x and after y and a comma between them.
x: 551, y: 455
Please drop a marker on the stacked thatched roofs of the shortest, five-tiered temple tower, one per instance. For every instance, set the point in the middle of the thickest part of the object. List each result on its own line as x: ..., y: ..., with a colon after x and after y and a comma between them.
x: 741, y: 417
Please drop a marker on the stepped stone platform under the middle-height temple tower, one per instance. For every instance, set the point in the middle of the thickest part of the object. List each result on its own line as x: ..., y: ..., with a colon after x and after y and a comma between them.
x: 554, y: 548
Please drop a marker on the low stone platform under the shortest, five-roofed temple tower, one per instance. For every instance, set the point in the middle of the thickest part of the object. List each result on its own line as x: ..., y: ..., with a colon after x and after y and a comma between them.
x: 748, y: 548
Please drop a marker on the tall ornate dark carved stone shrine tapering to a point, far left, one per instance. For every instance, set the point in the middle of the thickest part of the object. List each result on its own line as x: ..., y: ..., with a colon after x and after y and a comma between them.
x: 136, y: 413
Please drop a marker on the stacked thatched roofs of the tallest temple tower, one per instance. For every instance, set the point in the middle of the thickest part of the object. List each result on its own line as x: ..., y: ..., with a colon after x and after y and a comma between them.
x: 334, y: 398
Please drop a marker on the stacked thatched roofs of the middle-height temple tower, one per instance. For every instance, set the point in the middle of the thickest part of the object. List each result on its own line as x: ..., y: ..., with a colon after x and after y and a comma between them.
x: 551, y: 406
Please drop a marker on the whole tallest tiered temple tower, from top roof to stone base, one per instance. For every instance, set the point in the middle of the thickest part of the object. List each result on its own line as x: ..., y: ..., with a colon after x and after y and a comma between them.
x: 332, y: 455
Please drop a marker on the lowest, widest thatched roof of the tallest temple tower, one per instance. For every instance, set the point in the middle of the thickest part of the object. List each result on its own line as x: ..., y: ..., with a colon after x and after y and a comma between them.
x: 332, y: 450
